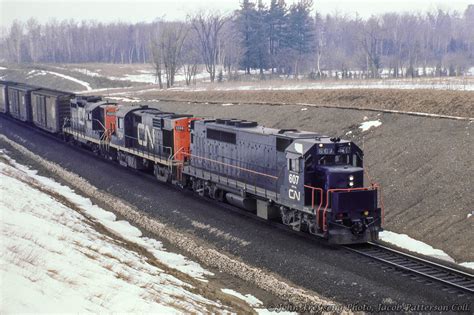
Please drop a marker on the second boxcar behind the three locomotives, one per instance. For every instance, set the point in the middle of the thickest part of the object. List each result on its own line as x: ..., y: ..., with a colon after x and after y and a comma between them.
x: 19, y: 101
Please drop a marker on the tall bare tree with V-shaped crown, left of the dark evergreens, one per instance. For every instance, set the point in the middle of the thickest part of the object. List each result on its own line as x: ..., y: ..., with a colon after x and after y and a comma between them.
x: 208, y: 27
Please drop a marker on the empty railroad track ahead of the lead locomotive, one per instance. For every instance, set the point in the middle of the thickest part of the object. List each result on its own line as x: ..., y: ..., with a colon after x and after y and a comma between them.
x: 452, y: 280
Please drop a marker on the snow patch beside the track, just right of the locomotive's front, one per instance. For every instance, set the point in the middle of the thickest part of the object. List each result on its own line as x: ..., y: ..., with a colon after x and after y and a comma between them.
x: 411, y: 244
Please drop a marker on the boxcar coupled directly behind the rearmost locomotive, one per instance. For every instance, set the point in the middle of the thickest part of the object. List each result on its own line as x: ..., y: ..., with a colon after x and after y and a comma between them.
x: 50, y: 108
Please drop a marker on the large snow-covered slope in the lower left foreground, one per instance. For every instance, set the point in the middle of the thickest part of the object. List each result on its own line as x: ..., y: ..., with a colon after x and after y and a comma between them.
x: 55, y: 258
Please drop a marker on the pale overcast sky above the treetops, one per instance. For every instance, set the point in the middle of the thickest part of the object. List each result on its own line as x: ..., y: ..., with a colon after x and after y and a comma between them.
x: 148, y: 10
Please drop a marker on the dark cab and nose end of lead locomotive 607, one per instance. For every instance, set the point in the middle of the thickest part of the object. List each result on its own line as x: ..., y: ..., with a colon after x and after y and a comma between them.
x: 325, y: 178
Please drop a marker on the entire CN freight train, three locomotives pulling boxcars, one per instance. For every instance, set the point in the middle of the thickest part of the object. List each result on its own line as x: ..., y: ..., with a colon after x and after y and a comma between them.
x: 305, y: 180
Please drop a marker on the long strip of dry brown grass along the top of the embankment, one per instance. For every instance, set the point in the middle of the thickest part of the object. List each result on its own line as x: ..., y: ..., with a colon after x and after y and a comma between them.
x: 452, y: 103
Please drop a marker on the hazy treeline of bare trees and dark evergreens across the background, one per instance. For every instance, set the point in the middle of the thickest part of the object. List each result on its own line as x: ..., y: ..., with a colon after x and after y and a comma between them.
x: 272, y: 37
